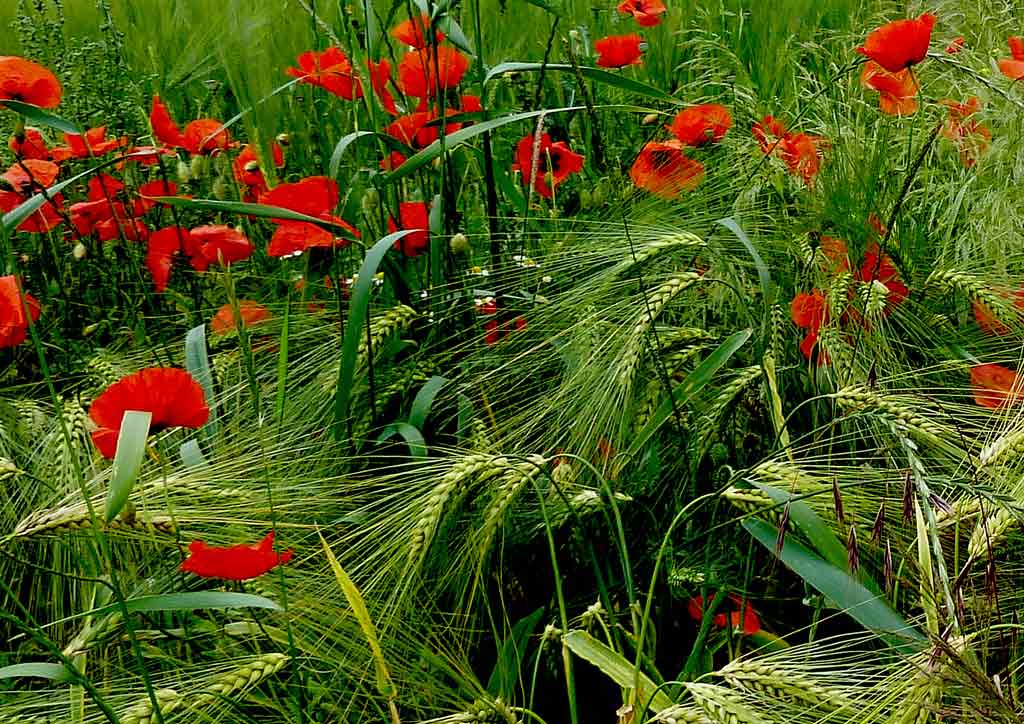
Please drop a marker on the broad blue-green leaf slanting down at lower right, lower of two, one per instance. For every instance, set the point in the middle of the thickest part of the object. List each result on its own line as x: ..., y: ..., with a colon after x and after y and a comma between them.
x: 870, y: 611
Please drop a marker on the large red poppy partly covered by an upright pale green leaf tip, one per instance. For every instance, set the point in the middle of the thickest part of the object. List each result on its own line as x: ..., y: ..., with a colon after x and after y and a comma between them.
x: 173, y: 396
